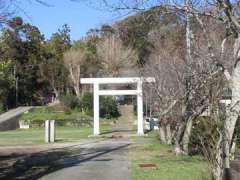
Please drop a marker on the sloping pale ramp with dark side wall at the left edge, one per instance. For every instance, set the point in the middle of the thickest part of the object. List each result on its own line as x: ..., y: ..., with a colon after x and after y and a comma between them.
x: 8, y: 120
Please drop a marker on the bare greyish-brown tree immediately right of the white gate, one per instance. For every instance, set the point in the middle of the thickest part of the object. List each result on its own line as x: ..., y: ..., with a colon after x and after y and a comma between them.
x: 166, y: 64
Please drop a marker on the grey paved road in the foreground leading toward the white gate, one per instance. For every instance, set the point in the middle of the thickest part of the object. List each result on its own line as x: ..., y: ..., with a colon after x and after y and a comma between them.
x: 105, y: 160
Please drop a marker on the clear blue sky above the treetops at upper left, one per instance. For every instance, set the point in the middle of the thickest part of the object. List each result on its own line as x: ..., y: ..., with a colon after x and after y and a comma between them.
x: 80, y: 16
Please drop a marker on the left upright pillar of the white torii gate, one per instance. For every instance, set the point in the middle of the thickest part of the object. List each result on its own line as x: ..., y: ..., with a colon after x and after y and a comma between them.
x: 96, y: 130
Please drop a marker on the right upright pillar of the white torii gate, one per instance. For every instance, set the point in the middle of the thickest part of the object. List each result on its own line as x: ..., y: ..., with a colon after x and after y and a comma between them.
x: 140, y: 108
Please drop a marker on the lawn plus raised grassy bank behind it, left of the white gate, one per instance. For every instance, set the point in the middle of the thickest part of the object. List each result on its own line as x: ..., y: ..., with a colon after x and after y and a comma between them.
x: 65, y: 129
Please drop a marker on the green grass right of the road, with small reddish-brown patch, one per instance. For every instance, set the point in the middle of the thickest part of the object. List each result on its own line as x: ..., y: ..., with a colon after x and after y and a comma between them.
x: 169, y: 167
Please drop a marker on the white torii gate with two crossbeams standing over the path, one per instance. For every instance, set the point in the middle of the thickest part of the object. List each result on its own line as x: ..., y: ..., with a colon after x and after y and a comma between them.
x: 97, y: 92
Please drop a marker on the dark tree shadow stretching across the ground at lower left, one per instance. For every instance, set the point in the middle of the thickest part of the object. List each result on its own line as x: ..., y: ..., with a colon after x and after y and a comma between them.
x: 36, y: 165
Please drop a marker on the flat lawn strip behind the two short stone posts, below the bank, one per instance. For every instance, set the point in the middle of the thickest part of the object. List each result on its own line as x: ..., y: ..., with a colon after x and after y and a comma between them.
x: 36, y: 135
